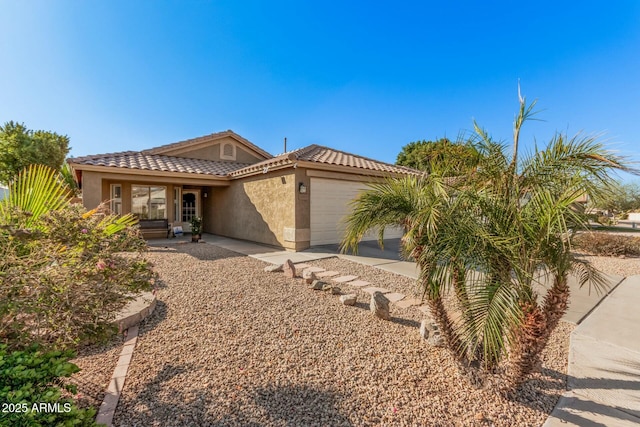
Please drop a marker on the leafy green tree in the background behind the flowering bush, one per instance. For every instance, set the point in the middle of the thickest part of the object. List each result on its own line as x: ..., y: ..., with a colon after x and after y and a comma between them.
x: 21, y: 147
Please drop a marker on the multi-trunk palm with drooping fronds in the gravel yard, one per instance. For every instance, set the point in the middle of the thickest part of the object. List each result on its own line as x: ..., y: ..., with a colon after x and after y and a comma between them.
x: 491, y: 237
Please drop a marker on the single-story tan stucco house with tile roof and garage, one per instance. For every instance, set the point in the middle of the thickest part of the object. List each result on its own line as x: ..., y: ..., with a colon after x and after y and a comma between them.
x: 293, y: 200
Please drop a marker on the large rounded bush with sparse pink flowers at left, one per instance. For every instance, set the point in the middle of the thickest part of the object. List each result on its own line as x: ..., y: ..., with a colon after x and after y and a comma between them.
x: 65, y: 272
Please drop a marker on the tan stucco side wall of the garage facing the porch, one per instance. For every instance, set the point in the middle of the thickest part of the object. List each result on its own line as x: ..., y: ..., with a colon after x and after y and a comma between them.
x: 258, y: 208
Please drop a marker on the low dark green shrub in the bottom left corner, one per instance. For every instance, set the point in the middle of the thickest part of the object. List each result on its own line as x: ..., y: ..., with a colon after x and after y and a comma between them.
x: 30, y: 391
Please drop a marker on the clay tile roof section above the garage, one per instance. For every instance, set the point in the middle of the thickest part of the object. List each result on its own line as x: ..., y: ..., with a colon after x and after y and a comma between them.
x: 324, y: 156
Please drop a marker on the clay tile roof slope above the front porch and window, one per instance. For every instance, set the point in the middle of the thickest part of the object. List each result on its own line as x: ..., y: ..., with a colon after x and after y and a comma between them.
x: 156, y: 162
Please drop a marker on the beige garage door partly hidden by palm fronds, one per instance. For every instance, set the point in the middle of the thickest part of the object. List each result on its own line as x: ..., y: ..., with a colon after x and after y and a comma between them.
x: 330, y: 200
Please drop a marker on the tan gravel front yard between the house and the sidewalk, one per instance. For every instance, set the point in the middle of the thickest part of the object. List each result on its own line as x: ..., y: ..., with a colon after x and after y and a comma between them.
x: 229, y: 344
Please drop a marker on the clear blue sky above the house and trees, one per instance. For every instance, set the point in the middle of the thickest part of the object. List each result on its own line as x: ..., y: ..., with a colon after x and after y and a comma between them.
x: 365, y: 77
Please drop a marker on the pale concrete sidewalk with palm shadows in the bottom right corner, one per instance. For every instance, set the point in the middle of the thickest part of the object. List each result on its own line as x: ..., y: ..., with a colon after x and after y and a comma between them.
x: 604, y: 364
